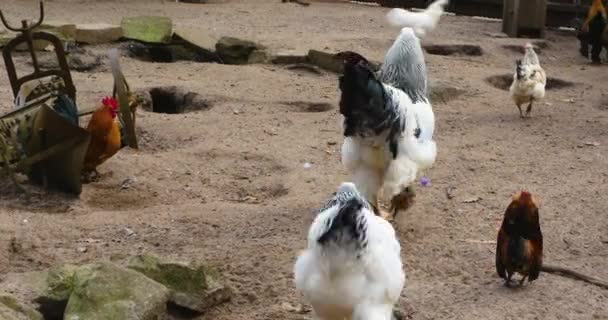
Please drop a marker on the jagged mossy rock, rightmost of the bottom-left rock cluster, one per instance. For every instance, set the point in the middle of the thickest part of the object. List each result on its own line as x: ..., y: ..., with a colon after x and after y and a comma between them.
x: 192, y: 286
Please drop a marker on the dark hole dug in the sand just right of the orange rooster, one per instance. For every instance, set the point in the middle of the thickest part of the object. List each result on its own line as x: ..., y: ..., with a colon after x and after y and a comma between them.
x: 174, y: 100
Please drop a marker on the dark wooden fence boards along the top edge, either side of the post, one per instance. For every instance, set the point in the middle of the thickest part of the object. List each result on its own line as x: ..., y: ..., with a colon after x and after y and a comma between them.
x: 560, y: 13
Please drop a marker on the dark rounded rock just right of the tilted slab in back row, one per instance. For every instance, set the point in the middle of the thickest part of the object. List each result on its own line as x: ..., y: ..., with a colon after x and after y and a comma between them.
x: 237, y: 51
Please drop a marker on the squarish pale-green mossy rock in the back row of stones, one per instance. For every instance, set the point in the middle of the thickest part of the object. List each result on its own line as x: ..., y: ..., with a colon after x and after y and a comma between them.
x: 151, y: 29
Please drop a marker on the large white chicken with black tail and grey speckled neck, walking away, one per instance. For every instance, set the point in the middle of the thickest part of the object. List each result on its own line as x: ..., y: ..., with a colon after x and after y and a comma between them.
x: 388, y: 121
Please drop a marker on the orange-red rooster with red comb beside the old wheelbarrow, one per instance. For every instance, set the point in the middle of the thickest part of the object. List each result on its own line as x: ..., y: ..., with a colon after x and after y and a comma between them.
x: 105, y: 135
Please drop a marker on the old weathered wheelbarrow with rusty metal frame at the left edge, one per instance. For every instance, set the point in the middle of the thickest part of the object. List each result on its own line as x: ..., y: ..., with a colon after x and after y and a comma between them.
x: 40, y: 138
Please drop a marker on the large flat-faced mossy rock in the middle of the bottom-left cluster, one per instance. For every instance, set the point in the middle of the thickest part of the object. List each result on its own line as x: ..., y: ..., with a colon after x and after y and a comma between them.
x: 107, y: 291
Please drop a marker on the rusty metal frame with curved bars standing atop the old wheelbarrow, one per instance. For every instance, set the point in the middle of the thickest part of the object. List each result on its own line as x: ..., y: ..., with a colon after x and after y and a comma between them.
x: 28, y: 37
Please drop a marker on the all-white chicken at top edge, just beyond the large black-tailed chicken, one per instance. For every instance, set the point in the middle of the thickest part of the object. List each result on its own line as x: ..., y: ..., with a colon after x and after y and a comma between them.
x: 422, y: 22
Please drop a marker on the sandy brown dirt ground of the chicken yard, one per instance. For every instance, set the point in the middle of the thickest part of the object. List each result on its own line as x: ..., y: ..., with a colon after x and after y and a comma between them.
x: 228, y: 185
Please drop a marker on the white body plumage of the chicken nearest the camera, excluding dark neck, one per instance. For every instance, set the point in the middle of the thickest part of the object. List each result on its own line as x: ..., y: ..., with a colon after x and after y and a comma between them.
x: 340, y: 283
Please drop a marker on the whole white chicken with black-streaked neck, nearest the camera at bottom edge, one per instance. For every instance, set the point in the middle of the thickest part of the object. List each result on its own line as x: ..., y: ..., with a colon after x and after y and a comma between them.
x: 352, y: 267
